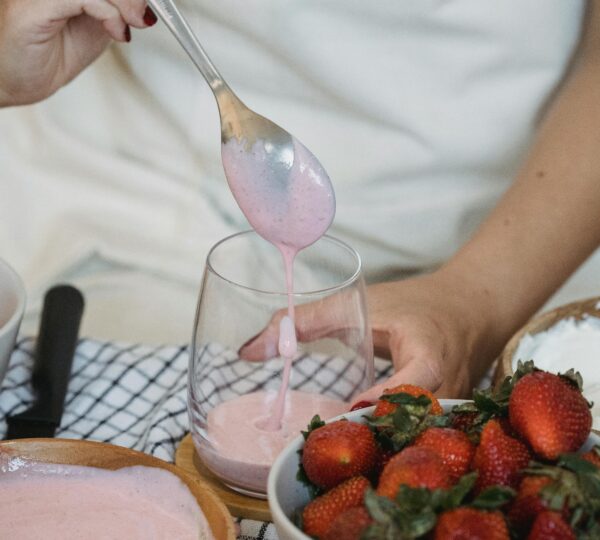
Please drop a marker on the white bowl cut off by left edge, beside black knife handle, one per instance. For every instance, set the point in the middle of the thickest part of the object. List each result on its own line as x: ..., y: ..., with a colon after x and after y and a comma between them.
x: 12, y: 306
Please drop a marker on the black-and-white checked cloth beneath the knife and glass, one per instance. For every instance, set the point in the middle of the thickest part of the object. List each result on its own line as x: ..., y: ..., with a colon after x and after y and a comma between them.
x: 136, y: 395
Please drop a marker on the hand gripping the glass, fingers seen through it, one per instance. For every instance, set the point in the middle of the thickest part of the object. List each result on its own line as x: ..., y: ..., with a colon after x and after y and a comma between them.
x: 435, y: 333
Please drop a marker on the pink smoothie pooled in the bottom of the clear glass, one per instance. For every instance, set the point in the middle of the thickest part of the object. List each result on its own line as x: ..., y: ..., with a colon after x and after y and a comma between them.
x: 241, y: 452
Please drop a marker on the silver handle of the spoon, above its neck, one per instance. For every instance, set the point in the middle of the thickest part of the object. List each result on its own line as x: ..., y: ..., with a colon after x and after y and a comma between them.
x: 179, y: 27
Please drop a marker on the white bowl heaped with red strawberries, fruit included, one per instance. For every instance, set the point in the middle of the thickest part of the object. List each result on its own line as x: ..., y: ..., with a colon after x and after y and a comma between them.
x: 518, y: 461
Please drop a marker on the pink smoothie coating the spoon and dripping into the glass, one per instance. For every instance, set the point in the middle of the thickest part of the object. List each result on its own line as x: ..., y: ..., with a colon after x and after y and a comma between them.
x: 291, y: 213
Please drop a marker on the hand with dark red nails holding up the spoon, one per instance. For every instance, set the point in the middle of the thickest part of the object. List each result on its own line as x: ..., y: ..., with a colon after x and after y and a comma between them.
x: 46, y: 43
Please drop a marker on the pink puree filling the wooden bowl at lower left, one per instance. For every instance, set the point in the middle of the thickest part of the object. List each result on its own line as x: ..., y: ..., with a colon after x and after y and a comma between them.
x: 66, y: 502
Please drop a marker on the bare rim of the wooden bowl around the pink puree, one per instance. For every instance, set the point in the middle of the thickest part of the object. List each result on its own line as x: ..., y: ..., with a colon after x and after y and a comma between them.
x: 108, y: 456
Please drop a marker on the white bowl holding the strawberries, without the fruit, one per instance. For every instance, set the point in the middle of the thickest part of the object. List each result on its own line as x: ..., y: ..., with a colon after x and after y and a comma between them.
x: 286, y: 494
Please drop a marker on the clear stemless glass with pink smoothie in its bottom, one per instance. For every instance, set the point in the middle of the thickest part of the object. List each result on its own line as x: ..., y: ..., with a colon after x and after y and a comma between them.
x: 230, y: 397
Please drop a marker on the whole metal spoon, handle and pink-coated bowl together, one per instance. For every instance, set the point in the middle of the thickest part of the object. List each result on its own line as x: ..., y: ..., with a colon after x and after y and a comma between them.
x: 266, y: 167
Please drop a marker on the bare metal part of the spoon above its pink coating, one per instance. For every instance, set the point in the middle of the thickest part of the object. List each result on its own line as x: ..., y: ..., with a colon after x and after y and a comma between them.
x: 237, y: 120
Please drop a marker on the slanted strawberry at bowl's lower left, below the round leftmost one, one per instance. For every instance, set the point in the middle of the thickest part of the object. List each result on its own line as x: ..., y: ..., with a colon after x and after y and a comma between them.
x: 319, y: 514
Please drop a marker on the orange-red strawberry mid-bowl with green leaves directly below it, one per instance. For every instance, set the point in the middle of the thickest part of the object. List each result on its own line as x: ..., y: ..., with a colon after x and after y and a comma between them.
x: 414, y: 467
